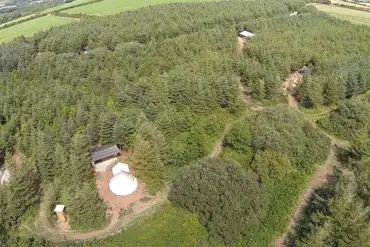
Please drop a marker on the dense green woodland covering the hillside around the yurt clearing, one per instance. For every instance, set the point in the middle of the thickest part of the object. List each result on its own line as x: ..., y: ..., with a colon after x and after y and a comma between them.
x: 163, y: 82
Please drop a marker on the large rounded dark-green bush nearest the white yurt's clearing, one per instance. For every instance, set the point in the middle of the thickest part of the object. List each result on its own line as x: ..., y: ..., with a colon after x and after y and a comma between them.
x: 228, y: 201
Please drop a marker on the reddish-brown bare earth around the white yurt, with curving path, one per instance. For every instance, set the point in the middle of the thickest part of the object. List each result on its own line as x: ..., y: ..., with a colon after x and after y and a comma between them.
x: 121, y: 210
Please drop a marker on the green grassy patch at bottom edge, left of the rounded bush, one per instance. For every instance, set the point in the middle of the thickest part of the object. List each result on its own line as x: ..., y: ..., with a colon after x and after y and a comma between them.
x: 168, y: 226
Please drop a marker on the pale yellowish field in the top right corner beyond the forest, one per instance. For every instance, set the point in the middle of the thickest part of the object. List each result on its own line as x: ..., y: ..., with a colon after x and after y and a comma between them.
x: 354, y: 16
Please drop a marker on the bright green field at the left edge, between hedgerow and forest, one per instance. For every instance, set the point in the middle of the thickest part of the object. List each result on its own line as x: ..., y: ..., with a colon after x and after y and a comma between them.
x: 29, y: 28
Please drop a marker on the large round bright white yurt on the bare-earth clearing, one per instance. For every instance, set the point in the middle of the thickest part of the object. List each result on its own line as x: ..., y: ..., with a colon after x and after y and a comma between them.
x: 123, y: 184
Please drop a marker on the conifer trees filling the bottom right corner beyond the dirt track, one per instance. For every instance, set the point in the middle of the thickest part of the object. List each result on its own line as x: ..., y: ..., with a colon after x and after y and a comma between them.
x: 336, y: 215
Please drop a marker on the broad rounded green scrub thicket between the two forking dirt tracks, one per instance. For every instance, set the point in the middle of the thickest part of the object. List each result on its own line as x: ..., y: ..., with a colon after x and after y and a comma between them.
x: 276, y: 142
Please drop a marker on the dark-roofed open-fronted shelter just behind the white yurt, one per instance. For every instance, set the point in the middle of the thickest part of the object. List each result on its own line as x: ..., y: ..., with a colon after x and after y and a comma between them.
x: 105, y: 157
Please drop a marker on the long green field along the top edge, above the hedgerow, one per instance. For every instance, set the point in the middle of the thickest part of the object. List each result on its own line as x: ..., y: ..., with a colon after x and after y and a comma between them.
x: 109, y: 7
